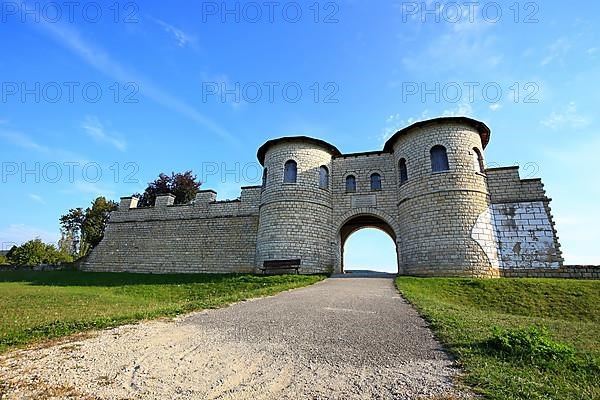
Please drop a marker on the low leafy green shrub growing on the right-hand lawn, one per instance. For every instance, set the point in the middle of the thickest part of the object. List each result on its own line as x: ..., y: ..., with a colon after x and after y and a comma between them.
x: 529, y: 344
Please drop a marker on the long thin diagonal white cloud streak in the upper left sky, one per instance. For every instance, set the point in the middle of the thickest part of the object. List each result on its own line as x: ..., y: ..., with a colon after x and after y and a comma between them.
x: 104, y: 62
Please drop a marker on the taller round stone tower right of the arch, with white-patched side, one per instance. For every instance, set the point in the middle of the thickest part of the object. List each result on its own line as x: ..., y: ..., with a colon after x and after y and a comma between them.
x: 443, y: 198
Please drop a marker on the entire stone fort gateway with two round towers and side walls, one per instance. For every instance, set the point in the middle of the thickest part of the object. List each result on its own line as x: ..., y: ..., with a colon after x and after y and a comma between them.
x: 428, y: 189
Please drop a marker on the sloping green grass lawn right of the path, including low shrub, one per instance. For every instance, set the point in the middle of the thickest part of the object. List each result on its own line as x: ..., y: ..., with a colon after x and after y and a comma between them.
x: 560, y: 361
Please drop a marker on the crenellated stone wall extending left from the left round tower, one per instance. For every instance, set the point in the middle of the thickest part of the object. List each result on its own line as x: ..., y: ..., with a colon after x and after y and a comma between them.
x: 205, y: 236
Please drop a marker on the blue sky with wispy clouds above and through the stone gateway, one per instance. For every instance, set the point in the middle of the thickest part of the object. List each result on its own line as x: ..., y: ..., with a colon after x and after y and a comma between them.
x: 133, y: 89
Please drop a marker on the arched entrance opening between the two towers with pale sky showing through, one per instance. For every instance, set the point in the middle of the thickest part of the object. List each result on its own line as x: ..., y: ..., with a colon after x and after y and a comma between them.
x: 372, y: 247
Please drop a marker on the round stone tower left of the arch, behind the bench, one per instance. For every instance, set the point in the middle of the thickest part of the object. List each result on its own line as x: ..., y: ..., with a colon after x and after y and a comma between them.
x: 295, y: 219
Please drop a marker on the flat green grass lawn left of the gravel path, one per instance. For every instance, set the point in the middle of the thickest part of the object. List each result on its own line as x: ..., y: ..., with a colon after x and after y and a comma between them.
x: 40, y: 305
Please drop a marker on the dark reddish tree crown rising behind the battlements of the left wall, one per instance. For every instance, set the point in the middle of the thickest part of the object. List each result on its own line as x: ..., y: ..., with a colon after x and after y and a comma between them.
x: 184, y: 186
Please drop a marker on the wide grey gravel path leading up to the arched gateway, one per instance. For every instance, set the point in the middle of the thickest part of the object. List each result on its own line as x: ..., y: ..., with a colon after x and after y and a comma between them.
x: 343, y: 338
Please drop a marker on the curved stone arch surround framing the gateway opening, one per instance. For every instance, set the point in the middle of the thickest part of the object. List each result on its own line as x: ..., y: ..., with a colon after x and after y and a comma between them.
x: 364, y: 218
